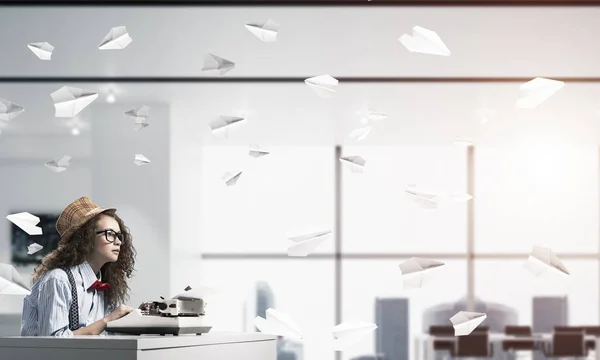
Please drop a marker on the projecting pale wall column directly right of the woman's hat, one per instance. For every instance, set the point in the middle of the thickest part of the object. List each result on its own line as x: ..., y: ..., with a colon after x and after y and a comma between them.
x: 140, y: 194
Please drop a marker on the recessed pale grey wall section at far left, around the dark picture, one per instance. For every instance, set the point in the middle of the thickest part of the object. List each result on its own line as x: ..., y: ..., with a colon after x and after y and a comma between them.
x: 26, y: 185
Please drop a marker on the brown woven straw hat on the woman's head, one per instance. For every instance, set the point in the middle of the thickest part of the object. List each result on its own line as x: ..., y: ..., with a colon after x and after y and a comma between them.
x: 75, y: 215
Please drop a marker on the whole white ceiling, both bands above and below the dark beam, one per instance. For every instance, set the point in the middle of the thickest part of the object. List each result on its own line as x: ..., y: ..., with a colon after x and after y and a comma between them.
x: 343, y: 42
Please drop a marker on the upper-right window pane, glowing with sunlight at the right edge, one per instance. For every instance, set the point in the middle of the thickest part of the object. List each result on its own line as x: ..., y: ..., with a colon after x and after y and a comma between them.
x: 536, y: 195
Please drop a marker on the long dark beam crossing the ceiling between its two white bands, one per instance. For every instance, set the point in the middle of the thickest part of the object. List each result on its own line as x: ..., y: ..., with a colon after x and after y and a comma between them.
x: 197, y: 79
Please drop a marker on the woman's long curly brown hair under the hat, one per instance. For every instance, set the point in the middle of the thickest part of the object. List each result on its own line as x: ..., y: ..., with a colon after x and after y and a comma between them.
x: 80, y: 245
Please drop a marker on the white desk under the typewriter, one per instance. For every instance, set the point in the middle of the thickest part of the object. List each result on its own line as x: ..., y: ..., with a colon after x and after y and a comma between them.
x: 210, y: 346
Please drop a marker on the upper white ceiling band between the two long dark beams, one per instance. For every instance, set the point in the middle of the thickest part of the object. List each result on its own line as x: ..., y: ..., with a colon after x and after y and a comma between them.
x: 357, y: 42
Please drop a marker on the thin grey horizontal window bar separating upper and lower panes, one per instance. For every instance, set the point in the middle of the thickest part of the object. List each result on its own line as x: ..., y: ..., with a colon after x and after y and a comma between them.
x: 392, y: 256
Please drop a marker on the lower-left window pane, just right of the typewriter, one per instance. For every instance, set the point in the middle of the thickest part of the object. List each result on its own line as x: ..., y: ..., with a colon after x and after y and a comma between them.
x: 302, y: 289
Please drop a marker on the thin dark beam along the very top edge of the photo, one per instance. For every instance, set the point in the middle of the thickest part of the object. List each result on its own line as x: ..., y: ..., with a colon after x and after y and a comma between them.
x: 299, y: 3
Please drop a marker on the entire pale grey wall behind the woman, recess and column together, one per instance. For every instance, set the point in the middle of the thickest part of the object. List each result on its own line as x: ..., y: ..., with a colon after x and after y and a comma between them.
x: 109, y: 178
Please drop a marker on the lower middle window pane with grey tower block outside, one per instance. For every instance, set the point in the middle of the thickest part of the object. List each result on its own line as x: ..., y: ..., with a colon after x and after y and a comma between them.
x: 365, y: 281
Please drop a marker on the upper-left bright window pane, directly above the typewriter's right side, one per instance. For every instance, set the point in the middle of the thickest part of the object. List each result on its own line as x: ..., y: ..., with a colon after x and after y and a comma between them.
x: 289, y: 190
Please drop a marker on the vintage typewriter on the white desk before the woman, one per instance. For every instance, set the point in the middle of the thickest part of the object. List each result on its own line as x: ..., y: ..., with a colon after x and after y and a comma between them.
x: 183, y: 314
